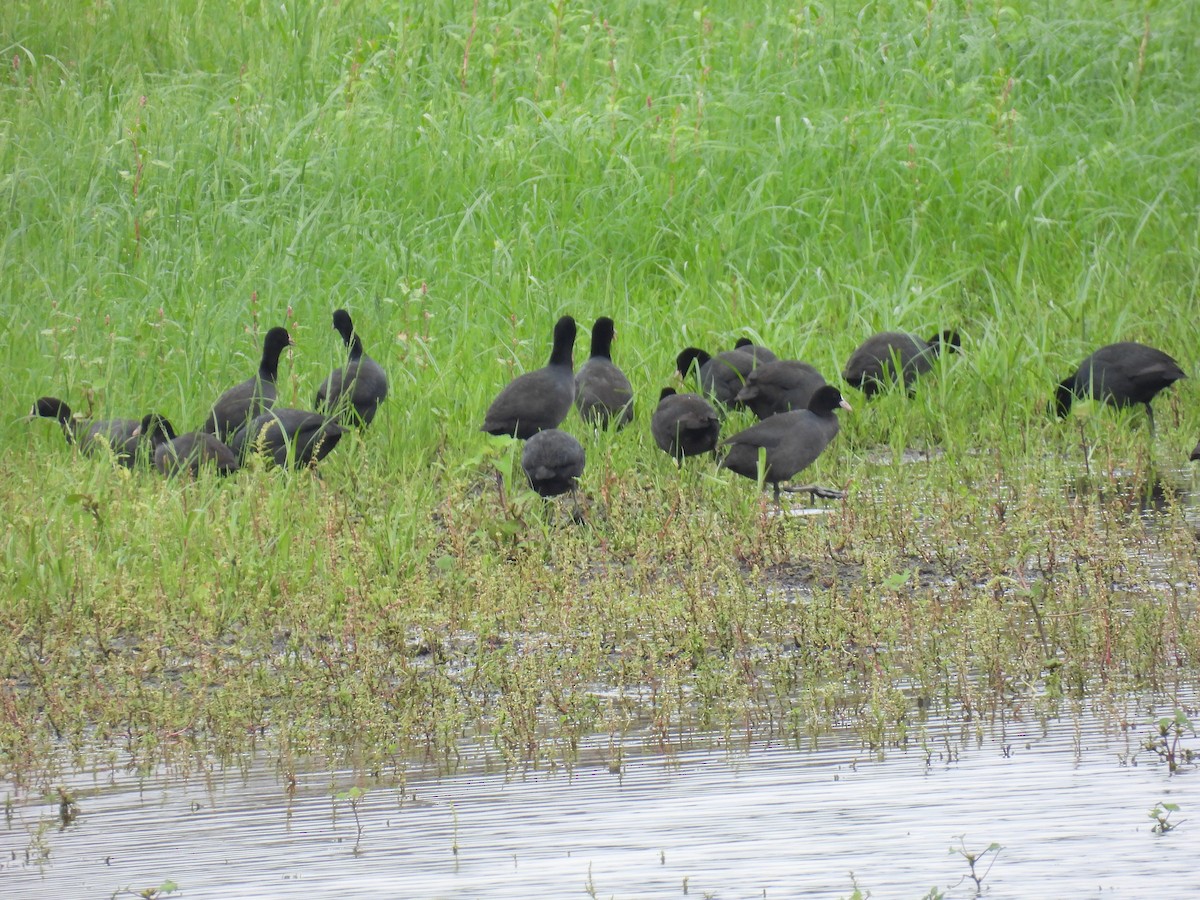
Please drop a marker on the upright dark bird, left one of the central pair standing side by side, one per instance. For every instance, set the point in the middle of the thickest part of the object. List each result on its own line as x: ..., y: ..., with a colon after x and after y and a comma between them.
x: 542, y: 399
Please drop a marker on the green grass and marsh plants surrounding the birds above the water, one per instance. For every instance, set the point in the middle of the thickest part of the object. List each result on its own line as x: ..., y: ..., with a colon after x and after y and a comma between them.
x: 458, y: 177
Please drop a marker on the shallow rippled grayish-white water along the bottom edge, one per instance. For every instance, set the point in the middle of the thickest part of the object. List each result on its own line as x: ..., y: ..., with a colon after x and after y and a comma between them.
x: 1067, y: 799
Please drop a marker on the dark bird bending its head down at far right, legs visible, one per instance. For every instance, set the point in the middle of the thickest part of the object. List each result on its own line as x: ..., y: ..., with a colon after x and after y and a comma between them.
x: 1120, y: 375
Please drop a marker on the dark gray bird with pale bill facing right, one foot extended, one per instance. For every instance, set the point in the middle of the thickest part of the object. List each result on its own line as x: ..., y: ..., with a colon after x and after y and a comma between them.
x: 793, y: 442
